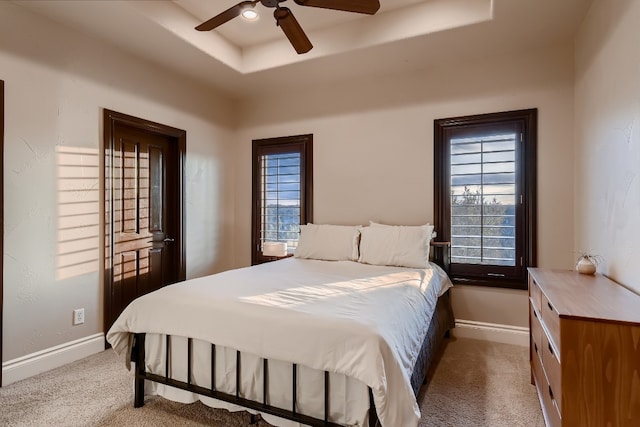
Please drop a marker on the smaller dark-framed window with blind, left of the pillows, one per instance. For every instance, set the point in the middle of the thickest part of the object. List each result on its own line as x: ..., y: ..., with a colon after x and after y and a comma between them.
x: 282, y: 194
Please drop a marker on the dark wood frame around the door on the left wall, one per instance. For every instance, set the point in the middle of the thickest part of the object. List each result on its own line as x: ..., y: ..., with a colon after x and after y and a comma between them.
x: 111, y: 120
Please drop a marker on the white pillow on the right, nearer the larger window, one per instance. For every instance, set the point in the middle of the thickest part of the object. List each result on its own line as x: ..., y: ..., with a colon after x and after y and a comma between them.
x: 397, y: 245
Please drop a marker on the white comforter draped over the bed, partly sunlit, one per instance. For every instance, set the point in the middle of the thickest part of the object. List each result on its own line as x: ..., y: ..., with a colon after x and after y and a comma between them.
x: 364, y: 321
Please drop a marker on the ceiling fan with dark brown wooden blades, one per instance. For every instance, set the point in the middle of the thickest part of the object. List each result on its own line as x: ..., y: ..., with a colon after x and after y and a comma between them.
x: 285, y: 19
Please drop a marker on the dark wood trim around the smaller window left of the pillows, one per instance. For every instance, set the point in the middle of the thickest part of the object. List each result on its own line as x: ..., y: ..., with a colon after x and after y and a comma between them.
x: 299, y: 143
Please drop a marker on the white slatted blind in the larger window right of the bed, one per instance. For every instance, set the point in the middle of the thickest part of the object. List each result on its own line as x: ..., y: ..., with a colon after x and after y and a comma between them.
x: 483, y: 199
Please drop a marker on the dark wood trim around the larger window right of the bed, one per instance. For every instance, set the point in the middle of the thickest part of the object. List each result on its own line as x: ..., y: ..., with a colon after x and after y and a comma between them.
x: 526, y: 210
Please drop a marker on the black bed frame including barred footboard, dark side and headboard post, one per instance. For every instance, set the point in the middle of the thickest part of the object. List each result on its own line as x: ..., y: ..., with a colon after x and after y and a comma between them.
x: 441, y: 323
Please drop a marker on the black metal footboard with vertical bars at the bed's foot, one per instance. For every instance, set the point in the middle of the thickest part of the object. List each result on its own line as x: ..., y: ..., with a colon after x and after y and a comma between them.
x: 138, y: 356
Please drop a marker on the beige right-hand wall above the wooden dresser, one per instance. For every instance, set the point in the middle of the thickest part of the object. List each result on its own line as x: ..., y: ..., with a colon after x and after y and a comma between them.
x: 607, y: 104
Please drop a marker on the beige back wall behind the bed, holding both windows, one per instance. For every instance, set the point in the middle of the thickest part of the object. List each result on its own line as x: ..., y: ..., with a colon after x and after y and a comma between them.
x: 373, y: 152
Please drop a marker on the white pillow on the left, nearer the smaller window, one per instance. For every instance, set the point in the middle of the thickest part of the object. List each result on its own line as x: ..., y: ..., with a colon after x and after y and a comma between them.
x: 328, y: 242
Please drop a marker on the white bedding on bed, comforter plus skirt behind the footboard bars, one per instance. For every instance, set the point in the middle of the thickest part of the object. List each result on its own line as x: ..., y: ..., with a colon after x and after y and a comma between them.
x: 364, y: 324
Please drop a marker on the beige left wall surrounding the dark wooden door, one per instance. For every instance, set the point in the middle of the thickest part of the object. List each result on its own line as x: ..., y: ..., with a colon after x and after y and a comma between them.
x: 56, y: 85
